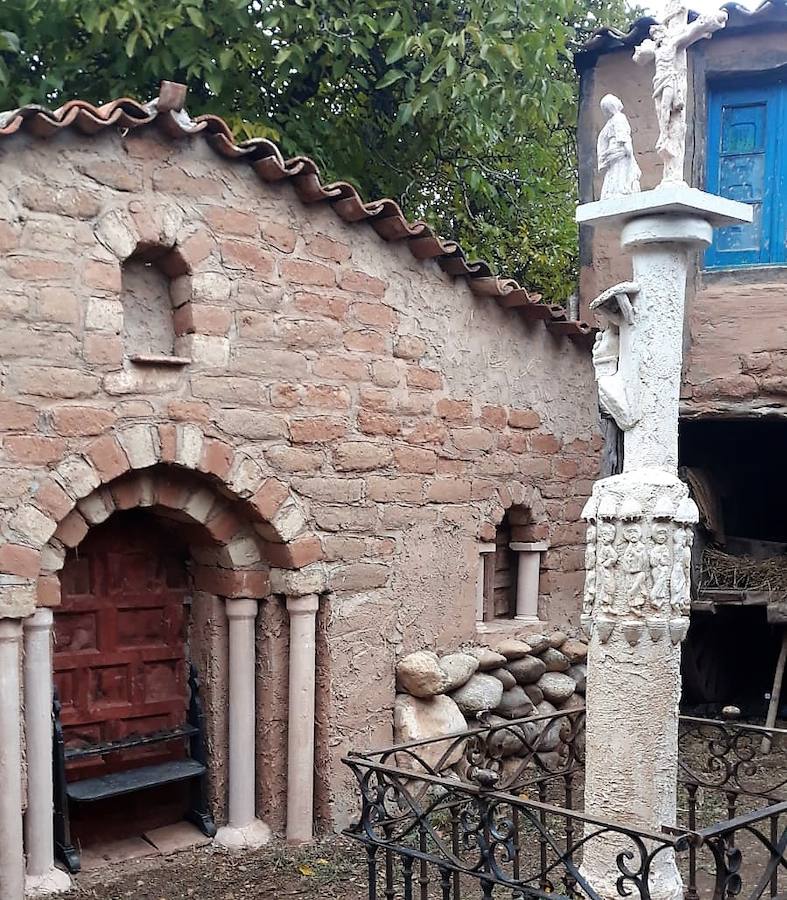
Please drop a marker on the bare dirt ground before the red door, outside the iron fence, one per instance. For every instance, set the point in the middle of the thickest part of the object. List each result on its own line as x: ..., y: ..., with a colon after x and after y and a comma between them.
x: 330, y: 870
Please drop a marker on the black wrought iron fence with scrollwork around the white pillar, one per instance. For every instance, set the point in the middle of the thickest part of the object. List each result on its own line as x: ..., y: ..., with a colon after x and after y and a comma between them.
x: 496, y: 812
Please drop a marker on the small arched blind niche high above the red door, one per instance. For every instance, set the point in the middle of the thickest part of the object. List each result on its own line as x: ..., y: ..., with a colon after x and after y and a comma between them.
x: 149, y: 335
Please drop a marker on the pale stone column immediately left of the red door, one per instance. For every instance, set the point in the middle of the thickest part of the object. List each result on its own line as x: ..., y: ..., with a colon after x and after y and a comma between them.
x: 42, y: 875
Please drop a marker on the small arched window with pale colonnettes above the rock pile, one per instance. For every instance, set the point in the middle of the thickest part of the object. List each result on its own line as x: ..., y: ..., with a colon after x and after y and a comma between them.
x: 510, y: 568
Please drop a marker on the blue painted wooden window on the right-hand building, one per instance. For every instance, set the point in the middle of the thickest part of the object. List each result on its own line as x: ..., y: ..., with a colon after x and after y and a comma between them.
x: 748, y: 162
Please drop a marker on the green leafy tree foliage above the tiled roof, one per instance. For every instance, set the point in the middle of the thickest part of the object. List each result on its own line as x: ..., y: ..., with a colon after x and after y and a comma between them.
x: 462, y: 109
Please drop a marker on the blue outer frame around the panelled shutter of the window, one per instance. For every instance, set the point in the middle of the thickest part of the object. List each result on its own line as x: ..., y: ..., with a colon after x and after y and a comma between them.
x: 772, y: 92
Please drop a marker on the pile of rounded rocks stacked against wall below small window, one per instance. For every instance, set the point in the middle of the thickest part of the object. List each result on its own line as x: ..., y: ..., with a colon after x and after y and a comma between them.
x: 443, y: 695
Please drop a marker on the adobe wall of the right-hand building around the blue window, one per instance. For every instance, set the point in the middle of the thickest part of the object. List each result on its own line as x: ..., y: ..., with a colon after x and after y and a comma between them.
x: 735, y: 334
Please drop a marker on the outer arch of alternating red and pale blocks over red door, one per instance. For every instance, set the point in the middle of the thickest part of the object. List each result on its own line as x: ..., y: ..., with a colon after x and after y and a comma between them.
x: 79, y: 486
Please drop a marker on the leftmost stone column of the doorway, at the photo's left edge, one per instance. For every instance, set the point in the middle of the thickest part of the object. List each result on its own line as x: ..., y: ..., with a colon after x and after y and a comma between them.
x: 12, y: 859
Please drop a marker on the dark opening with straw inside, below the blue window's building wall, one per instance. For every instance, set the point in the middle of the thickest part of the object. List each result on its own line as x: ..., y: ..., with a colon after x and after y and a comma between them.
x: 736, y: 472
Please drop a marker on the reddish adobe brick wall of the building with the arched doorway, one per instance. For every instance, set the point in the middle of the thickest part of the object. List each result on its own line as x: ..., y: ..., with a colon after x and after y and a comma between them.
x: 403, y: 412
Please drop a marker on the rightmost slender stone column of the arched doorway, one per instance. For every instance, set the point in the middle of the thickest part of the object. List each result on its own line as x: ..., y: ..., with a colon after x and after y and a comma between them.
x: 300, y: 749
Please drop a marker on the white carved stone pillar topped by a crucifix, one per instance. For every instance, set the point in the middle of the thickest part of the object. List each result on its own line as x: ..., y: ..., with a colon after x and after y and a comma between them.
x: 639, y: 523
